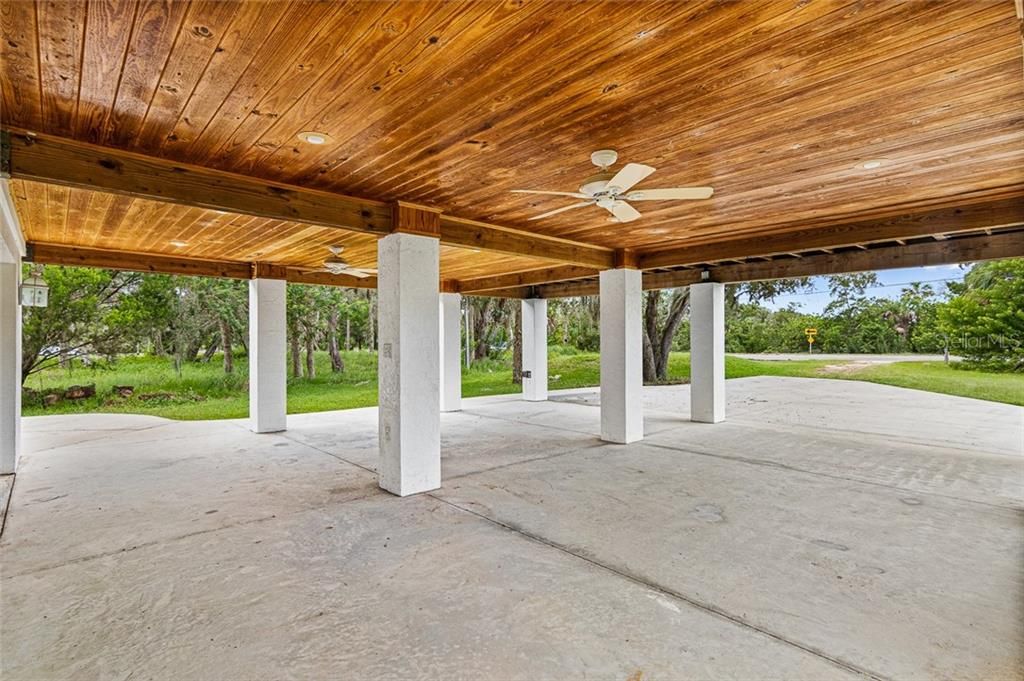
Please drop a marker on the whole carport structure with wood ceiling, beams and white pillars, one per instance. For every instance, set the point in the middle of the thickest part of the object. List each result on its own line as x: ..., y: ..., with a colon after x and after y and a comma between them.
x: 175, y: 138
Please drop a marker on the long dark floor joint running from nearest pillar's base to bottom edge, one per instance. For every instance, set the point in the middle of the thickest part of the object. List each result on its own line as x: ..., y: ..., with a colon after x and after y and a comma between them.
x: 707, y: 608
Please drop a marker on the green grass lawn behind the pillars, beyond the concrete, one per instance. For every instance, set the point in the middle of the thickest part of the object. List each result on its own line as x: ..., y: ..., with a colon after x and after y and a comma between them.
x: 204, y: 392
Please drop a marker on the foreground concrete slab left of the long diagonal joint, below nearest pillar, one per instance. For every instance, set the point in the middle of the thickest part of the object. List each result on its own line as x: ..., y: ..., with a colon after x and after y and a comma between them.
x: 377, y: 588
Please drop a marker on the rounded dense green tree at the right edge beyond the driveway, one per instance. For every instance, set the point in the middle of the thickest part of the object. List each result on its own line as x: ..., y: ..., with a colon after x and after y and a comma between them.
x: 986, y: 318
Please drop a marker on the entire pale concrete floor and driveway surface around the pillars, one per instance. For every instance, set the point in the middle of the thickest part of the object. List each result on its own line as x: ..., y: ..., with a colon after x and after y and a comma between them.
x: 828, y: 530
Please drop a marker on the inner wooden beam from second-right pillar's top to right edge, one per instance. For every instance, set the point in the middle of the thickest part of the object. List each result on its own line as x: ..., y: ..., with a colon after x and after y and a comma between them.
x: 1004, y: 212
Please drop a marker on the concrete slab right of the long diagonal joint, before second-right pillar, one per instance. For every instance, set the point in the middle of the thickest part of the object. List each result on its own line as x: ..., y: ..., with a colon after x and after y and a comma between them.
x: 805, y: 558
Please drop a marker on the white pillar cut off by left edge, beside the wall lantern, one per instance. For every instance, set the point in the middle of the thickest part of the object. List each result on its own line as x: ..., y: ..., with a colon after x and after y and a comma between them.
x: 11, y: 359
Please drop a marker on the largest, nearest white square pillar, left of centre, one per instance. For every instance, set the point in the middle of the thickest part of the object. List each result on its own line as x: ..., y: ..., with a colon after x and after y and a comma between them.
x: 409, y: 359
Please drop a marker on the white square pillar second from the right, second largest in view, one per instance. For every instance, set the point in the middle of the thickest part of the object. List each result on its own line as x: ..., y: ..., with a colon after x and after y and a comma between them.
x: 622, y: 357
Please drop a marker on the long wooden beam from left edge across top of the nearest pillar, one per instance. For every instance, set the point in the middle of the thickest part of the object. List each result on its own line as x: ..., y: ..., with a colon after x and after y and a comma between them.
x: 70, y: 163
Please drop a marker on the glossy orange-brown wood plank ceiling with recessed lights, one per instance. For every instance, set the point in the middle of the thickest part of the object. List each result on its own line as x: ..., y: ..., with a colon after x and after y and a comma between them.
x: 777, y: 105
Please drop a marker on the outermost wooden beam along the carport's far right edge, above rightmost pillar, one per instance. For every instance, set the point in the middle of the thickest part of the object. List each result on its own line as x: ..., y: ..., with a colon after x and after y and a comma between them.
x: 952, y: 251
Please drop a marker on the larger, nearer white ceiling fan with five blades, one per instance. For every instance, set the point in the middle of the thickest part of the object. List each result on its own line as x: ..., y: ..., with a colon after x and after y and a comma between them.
x: 611, y: 191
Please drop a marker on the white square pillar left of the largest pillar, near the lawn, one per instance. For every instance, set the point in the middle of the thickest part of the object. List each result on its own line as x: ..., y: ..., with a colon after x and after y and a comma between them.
x: 268, y: 356
